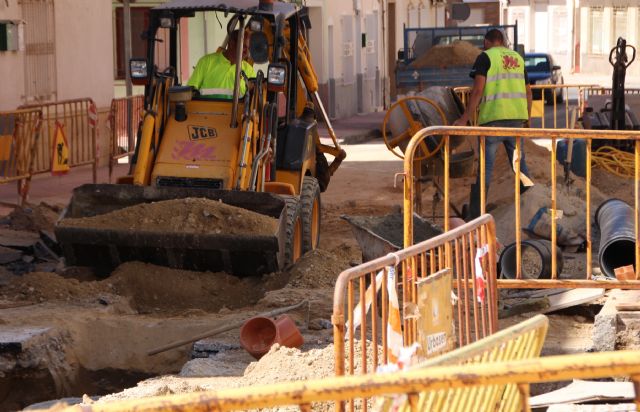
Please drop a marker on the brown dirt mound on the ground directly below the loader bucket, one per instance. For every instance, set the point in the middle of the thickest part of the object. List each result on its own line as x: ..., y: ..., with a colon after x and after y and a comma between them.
x: 153, y: 288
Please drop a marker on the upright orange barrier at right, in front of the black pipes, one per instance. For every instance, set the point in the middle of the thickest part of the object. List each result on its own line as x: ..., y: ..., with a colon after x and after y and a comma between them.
x: 523, y: 133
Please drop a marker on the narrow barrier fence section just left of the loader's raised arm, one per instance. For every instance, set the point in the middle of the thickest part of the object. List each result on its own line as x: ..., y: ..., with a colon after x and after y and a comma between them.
x: 124, y: 118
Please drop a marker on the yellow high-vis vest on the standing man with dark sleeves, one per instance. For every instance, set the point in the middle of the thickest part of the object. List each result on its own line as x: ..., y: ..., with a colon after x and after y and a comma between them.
x: 505, y: 93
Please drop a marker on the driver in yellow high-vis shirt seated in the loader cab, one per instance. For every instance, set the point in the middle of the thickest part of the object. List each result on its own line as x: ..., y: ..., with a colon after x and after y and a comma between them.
x: 215, y: 73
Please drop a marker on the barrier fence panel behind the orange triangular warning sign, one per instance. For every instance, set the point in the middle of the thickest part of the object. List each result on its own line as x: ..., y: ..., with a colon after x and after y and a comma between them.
x: 79, y: 118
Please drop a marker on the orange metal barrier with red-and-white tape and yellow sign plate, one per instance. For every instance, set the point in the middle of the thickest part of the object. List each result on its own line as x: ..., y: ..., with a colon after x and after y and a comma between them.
x: 475, y: 312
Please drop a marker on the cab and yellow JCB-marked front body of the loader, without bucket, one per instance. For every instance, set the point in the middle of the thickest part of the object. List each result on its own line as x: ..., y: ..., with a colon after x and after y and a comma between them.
x: 213, y: 140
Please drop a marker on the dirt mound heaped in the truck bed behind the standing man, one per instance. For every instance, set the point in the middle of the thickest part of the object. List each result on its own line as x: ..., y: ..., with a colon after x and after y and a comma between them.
x: 459, y: 53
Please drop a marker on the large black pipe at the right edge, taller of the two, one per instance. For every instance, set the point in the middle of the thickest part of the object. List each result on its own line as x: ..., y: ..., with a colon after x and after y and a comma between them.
x: 617, y: 235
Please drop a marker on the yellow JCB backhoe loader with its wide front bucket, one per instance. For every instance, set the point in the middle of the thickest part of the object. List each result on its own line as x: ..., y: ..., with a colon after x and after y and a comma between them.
x: 259, y: 150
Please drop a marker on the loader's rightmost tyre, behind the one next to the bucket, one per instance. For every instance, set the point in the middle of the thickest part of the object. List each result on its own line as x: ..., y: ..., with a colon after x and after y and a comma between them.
x: 311, y: 210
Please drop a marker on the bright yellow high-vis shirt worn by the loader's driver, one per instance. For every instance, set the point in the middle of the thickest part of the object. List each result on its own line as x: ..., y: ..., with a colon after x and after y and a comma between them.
x: 214, y: 75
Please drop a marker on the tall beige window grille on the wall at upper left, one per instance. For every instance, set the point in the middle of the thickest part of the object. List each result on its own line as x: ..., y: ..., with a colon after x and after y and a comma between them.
x: 40, y: 63
